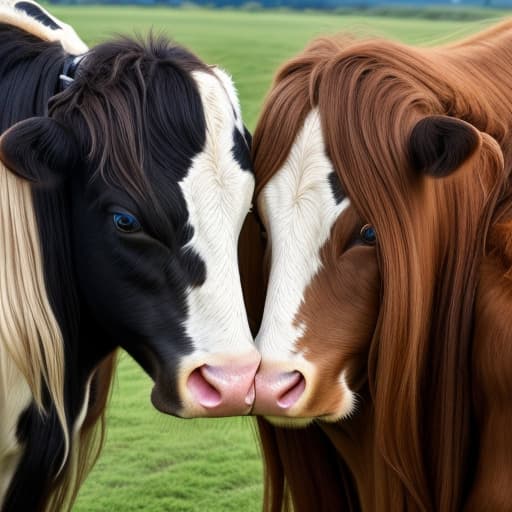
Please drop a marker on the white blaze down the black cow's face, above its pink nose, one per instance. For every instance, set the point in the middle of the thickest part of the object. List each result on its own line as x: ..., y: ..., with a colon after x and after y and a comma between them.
x: 218, y: 195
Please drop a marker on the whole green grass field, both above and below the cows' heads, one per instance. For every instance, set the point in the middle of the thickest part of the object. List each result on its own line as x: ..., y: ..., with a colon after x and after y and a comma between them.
x: 155, y: 463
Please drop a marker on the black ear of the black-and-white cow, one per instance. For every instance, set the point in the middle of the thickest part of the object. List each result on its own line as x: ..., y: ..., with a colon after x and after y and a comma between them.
x: 39, y: 149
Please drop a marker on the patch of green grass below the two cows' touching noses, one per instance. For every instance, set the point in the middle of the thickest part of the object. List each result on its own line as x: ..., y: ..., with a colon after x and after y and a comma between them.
x: 157, y: 463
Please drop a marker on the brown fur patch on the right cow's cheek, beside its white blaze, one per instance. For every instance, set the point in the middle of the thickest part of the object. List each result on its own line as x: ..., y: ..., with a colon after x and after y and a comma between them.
x: 339, y: 311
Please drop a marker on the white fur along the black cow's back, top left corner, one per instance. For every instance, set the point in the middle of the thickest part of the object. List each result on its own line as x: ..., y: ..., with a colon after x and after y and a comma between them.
x: 66, y: 36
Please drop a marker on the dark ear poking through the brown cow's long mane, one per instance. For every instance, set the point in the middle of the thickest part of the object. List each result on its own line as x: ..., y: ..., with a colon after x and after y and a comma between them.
x: 439, y: 145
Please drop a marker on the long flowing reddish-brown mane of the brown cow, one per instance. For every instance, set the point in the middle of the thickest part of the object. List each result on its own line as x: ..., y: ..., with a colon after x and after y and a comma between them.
x: 433, y: 238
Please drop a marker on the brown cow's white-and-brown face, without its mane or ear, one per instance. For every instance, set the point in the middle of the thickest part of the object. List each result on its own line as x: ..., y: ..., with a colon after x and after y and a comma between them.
x: 323, y: 288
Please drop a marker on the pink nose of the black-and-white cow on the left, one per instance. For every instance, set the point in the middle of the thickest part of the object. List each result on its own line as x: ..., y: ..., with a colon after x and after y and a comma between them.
x: 224, y: 390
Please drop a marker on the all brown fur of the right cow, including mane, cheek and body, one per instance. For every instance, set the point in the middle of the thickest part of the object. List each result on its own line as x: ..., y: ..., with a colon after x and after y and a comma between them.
x: 436, y: 395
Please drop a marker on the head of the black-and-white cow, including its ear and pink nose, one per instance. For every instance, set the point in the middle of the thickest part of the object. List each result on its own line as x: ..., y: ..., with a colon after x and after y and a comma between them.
x: 148, y: 148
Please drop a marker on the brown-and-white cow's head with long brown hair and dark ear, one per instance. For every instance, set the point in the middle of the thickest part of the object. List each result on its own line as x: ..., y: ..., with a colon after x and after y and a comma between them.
x: 375, y: 206
